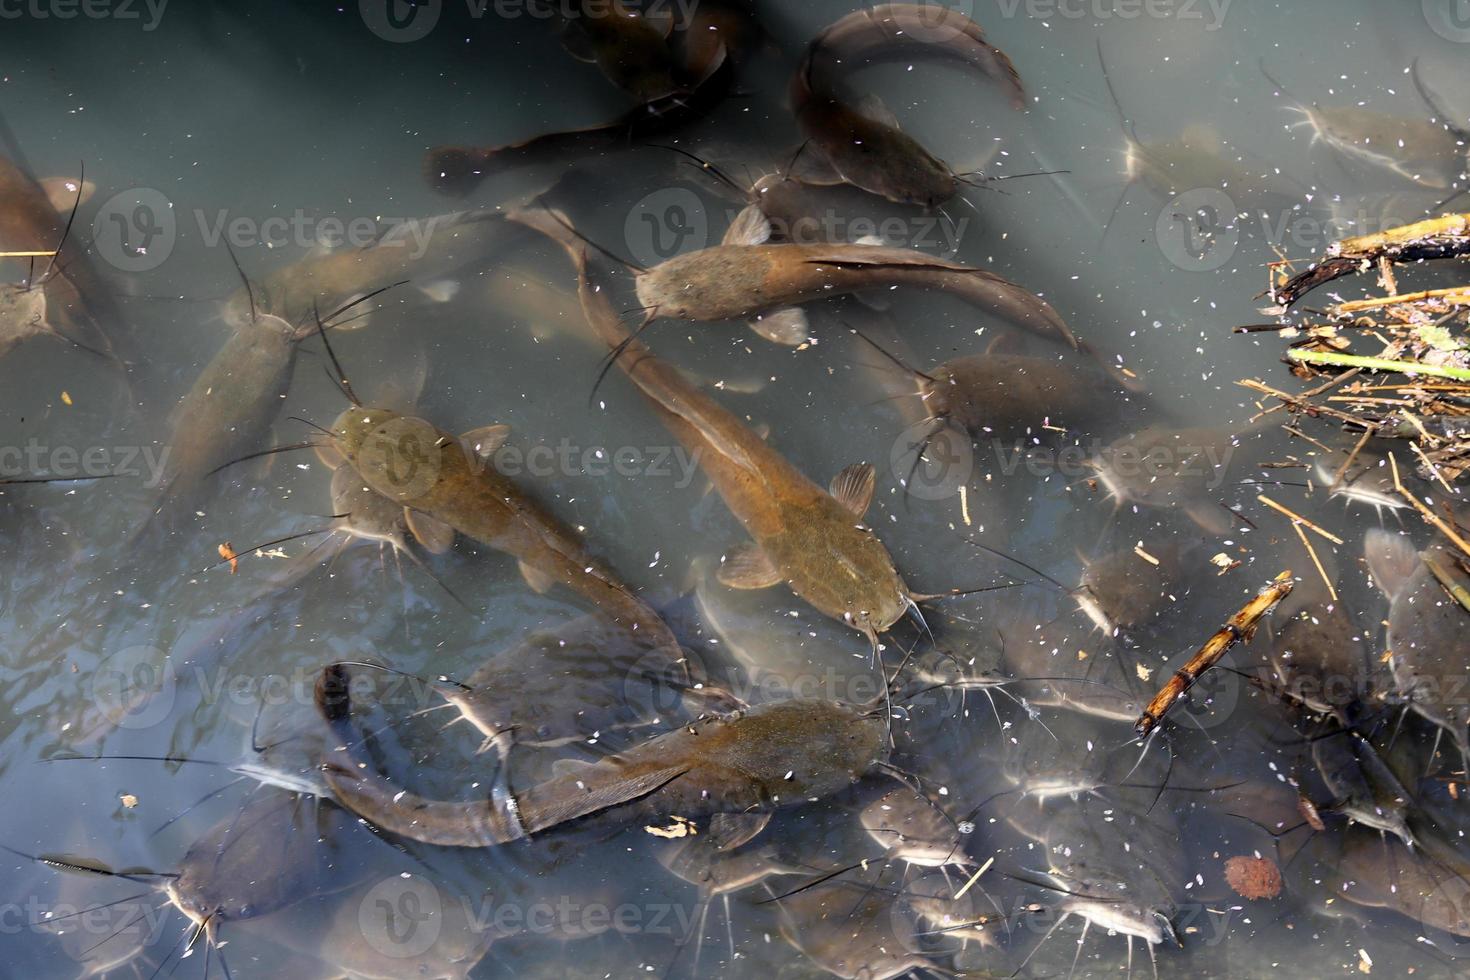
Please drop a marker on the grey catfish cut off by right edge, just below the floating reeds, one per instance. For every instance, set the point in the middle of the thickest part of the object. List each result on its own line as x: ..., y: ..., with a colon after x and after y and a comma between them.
x: 1427, y: 631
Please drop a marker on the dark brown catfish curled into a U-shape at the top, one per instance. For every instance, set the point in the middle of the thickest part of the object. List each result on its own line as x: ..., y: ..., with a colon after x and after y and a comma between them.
x: 864, y: 145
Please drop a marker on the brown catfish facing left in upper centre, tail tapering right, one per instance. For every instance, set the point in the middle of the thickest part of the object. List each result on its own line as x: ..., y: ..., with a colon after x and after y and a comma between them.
x: 747, y: 278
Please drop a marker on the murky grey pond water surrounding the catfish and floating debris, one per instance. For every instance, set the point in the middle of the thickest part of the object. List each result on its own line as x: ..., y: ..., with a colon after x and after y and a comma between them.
x: 286, y: 134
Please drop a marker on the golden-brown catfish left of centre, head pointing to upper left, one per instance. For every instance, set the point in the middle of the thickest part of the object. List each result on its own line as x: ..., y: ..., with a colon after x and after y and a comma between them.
x: 452, y: 481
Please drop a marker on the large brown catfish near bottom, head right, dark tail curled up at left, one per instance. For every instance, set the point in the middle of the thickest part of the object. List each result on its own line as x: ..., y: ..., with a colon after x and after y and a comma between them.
x: 774, y: 756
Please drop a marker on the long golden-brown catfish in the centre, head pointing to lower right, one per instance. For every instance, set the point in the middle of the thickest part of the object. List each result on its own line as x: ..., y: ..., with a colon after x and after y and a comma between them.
x: 803, y: 536
